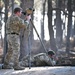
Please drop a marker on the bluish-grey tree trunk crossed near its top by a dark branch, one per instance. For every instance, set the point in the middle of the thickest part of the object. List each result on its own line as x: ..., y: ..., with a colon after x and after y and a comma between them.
x: 58, y: 25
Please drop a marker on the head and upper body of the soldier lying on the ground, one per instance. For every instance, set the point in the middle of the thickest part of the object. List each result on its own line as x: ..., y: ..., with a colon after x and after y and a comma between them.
x: 43, y: 59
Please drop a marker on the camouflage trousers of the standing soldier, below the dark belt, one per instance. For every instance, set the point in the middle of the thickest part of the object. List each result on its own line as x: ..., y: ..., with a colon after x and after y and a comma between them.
x: 13, y: 51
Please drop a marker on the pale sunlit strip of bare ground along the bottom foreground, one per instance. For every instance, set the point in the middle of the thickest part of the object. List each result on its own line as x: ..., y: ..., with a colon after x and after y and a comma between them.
x: 61, y: 70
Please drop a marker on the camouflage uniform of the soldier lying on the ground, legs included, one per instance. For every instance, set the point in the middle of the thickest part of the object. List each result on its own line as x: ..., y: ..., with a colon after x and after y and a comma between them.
x: 41, y: 59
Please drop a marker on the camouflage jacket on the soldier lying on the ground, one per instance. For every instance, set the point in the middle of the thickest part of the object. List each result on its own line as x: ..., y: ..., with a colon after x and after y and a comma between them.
x: 43, y: 59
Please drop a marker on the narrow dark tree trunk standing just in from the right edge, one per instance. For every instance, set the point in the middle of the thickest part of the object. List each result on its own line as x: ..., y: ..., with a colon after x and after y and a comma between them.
x: 69, y: 26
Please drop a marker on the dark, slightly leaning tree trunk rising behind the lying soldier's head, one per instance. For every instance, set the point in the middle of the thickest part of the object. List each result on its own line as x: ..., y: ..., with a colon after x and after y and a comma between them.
x: 51, y: 32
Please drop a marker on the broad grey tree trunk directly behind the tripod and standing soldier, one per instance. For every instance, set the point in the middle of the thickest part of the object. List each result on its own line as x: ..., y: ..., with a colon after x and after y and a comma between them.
x: 24, y: 39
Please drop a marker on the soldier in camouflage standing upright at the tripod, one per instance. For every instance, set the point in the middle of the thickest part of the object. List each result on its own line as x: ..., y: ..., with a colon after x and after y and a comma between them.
x: 13, y: 26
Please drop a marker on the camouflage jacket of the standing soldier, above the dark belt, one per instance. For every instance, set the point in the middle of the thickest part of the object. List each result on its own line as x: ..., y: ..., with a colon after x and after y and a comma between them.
x: 14, y: 24
